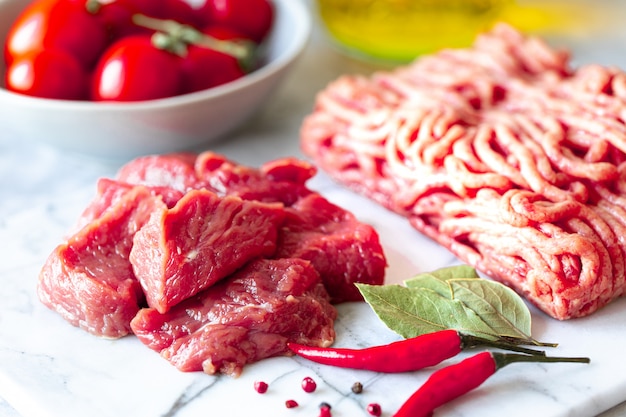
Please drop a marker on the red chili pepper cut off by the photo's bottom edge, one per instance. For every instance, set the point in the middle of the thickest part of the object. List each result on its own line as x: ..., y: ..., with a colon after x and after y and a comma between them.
x: 456, y: 380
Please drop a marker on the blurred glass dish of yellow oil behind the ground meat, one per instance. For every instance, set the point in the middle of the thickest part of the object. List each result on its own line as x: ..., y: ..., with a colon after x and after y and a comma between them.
x: 399, y: 30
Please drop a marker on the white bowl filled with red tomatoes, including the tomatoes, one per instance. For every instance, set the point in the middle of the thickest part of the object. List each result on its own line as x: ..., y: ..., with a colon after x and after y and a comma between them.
x: 122, y: 78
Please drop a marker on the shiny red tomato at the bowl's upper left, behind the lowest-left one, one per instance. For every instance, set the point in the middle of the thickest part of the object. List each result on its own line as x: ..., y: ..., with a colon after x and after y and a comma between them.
x: 63, y: 25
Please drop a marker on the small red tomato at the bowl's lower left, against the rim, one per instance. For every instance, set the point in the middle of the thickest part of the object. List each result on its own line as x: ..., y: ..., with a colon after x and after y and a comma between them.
x: 48, y: 74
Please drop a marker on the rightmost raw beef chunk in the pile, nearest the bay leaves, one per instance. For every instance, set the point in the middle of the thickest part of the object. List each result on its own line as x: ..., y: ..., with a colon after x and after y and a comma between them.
x: 342, y: 249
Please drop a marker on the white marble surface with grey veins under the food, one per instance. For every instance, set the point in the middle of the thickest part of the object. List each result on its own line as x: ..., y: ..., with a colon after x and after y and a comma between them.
x: 50, y: 369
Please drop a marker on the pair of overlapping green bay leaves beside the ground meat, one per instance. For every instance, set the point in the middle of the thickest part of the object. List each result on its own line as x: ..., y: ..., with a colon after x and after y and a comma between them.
x: 486, y: 307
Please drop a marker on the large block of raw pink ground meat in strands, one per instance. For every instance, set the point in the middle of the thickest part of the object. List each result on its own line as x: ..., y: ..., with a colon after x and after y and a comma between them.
x: 500, y: 152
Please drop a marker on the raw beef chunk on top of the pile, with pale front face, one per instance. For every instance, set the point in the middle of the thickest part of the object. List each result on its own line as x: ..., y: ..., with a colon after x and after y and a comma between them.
x: 201, y: 240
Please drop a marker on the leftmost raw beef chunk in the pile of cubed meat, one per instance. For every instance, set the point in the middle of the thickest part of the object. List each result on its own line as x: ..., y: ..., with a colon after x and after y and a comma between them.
x: 88, y: 279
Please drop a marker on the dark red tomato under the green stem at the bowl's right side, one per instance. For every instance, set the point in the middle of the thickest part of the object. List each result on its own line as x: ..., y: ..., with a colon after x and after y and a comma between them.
x: 204, y: 68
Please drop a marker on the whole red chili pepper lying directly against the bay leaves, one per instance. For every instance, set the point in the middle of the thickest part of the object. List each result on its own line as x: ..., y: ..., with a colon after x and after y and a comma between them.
x: 402, y: 356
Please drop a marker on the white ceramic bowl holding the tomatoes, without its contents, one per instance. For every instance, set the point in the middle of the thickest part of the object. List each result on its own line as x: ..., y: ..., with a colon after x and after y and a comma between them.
x: 124, y: 130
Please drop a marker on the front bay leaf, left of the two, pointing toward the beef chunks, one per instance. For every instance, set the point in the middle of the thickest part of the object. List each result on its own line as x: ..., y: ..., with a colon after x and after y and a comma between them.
x: 414, y: 311
